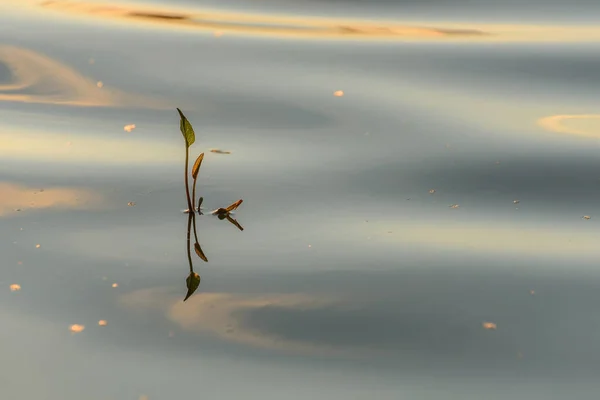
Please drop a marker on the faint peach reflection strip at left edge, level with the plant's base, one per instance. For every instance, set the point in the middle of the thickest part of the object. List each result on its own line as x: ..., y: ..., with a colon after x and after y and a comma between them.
x: 16, y: 199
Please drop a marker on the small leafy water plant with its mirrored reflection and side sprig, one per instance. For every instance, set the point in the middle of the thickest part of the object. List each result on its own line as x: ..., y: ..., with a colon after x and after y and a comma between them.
x: 193, y: 279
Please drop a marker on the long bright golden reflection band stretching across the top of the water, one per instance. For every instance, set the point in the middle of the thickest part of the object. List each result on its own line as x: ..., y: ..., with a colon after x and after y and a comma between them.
x: 309, y: 27
